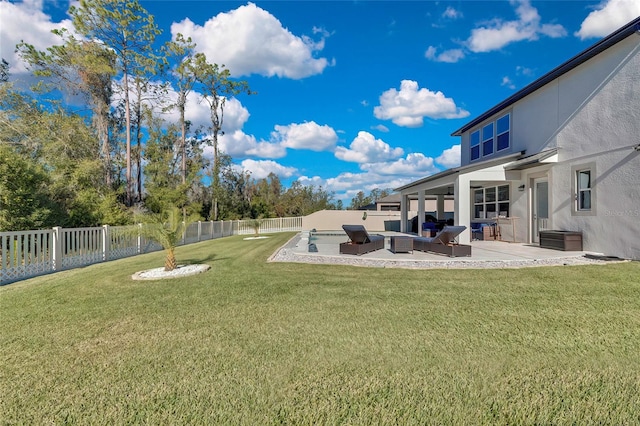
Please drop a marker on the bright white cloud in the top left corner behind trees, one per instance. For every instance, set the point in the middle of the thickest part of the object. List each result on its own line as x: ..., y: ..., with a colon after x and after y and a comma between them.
x: 26, y: 22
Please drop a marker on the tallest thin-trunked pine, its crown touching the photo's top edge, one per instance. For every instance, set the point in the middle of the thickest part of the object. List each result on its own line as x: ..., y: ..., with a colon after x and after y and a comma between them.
x: 126, y: 28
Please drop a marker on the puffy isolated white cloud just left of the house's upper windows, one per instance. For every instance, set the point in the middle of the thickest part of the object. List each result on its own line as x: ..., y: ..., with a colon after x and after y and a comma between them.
x: 410, y: 105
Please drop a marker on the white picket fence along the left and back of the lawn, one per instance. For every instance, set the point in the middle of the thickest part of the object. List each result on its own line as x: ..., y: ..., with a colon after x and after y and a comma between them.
x: 25, y: 254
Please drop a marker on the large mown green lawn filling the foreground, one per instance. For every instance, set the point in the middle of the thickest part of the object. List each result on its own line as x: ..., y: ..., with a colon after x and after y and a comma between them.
x: 251, y: 342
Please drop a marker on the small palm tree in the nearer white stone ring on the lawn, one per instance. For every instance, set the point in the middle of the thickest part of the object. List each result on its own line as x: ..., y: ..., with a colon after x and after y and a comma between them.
x: 167, y: 229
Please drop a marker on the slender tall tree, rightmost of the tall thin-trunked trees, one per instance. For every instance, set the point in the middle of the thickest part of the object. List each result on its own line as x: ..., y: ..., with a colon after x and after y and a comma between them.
x: 216, y: 84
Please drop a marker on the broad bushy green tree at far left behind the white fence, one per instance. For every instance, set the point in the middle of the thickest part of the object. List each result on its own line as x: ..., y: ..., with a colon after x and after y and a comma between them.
x: 60, y: 151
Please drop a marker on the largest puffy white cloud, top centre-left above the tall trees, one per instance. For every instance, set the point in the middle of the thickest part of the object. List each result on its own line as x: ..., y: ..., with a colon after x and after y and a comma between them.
x: 249, y: 40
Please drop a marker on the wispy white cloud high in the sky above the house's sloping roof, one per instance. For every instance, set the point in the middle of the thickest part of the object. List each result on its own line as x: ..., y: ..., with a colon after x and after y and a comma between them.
x: 498, y: 33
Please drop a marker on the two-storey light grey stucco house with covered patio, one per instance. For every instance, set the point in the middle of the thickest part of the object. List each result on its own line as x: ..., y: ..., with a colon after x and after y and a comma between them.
x: 563, y: 153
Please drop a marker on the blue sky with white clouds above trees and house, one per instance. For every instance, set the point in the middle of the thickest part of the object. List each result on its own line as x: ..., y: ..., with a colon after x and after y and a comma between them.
x: 356, y: 95
